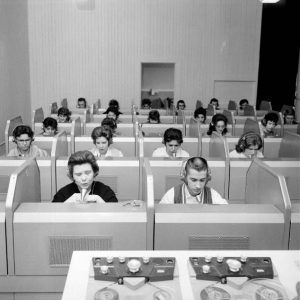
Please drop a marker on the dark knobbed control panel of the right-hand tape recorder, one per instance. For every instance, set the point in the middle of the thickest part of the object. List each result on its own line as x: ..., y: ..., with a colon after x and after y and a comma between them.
x: 220, y: 268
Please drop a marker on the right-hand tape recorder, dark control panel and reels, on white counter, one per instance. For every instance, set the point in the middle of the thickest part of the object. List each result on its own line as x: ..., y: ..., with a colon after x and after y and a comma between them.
x: 229, y: 278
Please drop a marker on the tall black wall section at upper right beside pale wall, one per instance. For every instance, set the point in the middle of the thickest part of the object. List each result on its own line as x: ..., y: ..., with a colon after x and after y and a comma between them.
x: 279, y: 53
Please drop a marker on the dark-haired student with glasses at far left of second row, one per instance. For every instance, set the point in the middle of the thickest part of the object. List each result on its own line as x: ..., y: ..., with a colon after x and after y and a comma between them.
x: 23, y: 137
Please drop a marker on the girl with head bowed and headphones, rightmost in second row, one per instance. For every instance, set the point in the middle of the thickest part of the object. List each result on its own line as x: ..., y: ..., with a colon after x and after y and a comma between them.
x: 248, y: 146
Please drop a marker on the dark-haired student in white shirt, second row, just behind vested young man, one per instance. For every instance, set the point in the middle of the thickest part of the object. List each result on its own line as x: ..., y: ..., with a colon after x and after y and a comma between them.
x: 172, y: 141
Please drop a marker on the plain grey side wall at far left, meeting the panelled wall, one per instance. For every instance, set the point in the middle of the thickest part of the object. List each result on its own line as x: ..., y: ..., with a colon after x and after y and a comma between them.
x: 14, y: 62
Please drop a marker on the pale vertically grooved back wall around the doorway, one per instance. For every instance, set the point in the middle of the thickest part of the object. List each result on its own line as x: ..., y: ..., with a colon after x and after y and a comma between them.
x: 98, y: 53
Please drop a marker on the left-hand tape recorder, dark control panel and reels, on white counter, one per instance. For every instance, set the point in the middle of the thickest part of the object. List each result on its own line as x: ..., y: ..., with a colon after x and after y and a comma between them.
x: 147, y: 278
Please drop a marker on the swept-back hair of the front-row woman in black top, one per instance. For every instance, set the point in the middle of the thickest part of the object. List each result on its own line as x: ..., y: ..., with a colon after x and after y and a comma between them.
x: 80, y: 158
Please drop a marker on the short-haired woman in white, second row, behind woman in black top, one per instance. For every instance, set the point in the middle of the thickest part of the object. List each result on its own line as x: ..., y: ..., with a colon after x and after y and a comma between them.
x: 102, y: 138
